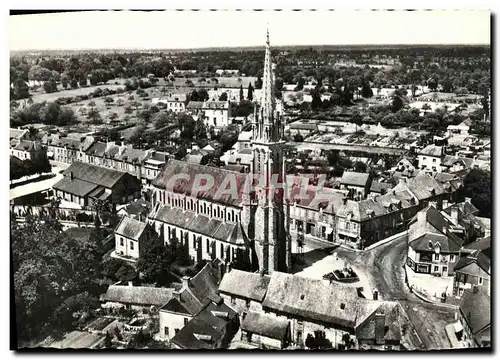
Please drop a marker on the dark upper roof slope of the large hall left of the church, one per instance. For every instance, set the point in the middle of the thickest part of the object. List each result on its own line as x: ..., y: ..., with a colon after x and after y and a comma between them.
x: 94, y: 174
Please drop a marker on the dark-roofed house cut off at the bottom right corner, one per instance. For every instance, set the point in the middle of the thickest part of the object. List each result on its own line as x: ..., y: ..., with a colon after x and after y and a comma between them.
x: 473, y: 328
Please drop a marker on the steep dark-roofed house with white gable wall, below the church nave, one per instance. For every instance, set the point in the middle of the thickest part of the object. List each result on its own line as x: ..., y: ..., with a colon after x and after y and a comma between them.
x: 191, y: 298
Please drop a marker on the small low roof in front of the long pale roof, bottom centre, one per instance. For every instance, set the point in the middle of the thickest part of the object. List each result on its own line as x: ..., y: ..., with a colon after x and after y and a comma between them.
x: 266, y: 325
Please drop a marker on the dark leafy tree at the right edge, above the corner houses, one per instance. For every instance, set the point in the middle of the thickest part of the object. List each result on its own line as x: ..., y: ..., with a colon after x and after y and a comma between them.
x: 477, y: 186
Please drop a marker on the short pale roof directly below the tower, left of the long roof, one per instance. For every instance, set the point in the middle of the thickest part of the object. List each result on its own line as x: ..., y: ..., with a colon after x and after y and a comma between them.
x: 245, y: 284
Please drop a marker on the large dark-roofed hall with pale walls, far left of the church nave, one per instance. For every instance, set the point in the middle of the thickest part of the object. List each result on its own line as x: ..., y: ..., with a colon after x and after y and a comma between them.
x: 83, y: 183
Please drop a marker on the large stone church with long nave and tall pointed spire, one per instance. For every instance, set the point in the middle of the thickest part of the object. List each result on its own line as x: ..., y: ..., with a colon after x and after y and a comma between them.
x: 252, y: 223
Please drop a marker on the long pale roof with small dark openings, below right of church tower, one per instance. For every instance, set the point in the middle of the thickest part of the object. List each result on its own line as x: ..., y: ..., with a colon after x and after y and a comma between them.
x: 298, y: 296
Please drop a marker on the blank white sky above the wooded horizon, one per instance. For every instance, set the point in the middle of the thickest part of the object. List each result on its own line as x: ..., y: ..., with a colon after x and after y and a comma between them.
x: 197, y: 29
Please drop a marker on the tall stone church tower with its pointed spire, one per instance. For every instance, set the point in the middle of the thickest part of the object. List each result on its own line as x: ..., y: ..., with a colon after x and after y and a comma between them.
x: 266, y: 209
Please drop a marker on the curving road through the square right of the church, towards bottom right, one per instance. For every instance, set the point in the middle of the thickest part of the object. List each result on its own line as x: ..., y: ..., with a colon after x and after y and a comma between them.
x: 383, y: 267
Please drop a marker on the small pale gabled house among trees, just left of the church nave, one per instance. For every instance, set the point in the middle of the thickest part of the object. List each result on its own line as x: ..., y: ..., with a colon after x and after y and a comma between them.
x: 130, y: 237
